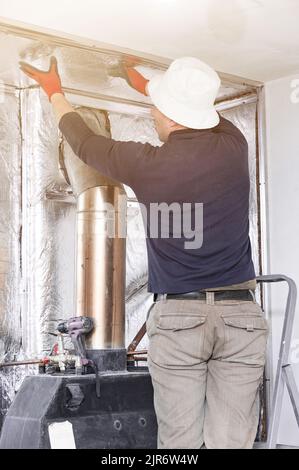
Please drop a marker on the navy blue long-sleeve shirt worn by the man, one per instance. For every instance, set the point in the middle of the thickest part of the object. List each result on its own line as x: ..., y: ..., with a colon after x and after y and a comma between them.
x: 208, y: 167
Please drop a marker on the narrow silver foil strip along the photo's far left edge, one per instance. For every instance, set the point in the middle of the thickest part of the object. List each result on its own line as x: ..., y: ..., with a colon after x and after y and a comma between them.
x: 10, y: 247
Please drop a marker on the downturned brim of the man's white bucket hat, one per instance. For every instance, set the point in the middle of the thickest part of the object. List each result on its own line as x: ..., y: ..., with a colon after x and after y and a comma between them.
x: 185, y: 116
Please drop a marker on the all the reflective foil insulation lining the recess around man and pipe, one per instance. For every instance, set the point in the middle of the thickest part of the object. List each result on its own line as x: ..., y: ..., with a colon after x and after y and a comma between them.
x: 38, y: 217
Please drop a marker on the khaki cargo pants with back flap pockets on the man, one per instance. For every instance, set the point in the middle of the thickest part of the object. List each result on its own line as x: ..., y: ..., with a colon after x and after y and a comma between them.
x: 206, y: 361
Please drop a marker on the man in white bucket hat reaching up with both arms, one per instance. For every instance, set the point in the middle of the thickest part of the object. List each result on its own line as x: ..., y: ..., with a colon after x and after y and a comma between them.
x: 207, y: 334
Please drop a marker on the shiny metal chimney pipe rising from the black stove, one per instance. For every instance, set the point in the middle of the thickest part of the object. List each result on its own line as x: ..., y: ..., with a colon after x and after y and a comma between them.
x: 101, y: 243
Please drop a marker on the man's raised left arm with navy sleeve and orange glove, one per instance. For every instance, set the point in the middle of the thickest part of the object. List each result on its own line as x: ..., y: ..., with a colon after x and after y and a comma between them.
x: 118, y: 160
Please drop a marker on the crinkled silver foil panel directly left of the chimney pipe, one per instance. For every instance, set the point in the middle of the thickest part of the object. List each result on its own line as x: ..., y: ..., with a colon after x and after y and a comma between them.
x: 48, y: 234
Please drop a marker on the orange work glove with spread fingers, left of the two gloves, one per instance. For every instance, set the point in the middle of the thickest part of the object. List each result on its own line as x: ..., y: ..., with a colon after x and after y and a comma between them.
x: 49, y: 81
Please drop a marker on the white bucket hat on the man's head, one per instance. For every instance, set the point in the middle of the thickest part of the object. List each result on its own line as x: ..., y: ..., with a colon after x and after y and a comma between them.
x: 186, y: 93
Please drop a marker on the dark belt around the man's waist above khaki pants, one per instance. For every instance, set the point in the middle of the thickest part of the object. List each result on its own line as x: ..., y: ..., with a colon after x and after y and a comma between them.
x: 201, y: 295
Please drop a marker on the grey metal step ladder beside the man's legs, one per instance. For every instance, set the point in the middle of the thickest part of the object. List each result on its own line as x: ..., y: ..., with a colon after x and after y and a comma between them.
x: 284, y: 374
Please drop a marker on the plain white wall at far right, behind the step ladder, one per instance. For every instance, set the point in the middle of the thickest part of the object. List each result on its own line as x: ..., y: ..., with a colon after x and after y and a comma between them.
x: 282, y: 140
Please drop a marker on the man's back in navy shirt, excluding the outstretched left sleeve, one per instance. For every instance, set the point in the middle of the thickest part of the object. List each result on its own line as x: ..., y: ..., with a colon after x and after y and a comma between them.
x: 208, y: 167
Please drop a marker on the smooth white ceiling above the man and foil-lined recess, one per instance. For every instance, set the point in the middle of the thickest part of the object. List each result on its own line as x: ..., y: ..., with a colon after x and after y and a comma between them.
x: 256, y: 39
